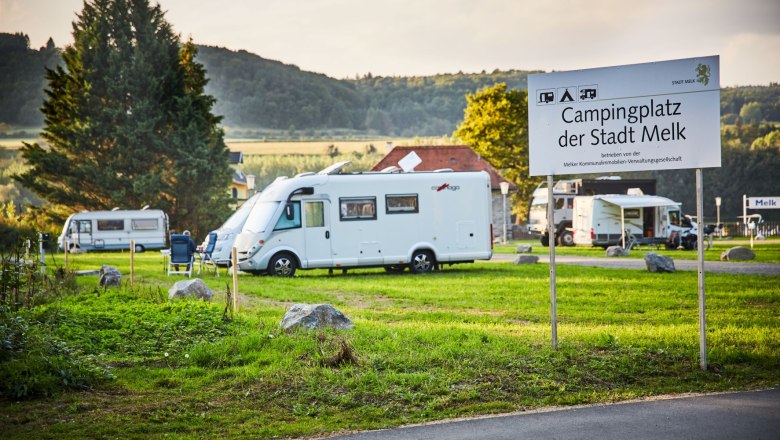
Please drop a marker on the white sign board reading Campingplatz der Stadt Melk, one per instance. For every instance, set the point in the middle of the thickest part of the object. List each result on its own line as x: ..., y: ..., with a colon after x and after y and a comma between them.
x: 653, y: 116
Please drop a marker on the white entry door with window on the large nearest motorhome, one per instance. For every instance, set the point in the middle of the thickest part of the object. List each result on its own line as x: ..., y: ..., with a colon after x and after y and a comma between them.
x: 316, y: 226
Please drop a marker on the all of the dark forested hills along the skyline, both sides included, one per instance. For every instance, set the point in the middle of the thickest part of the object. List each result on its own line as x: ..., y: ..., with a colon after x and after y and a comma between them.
x: 258, y: 96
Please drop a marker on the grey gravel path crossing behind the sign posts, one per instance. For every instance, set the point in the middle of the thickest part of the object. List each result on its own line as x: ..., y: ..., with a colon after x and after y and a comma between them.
x: 639, y: 263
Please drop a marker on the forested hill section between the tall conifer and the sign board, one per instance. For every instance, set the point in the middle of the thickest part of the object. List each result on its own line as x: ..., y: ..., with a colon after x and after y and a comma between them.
x: 254, y: 92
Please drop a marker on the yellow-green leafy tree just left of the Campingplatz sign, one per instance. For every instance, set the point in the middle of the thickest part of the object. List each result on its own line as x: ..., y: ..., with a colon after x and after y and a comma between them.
x: 495, y: 125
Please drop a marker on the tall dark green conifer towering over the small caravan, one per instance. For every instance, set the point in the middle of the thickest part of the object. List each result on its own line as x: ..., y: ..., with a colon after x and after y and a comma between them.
x: 127, y: 122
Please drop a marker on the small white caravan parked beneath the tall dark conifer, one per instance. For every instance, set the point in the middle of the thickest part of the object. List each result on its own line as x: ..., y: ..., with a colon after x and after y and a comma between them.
x: 113, y: 230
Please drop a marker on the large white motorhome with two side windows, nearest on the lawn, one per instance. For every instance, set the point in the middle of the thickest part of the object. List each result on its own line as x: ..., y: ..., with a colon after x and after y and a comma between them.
x: 378, y: 219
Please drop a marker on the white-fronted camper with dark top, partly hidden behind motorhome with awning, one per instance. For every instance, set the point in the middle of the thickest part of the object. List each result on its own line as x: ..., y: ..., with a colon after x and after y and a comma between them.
x: 564, y: 192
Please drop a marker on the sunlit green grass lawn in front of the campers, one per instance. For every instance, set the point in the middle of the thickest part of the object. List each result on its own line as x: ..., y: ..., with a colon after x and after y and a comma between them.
x: 468, y: 340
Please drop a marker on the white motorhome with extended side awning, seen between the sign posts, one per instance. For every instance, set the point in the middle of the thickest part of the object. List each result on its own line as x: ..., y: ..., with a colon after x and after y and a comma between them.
x: 602, y: 220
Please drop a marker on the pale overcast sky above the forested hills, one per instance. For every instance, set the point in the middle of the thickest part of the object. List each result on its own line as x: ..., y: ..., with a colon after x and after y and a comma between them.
x: 344, y: 38
